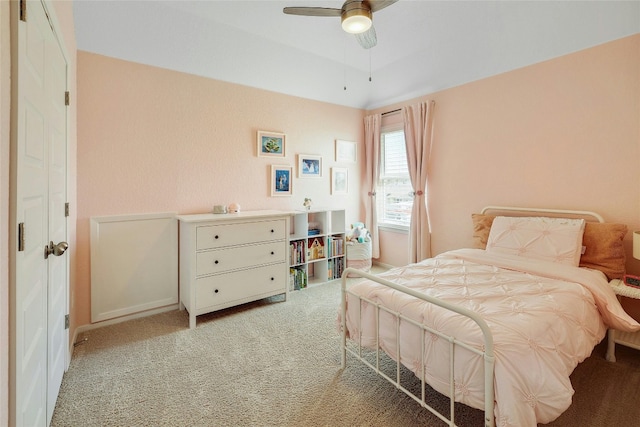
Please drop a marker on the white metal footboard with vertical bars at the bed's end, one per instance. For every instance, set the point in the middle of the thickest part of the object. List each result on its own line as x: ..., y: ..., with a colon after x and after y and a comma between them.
x: 487, y: 352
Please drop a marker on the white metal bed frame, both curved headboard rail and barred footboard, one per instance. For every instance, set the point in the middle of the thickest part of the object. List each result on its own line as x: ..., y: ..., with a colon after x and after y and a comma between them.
x: 487, y: 354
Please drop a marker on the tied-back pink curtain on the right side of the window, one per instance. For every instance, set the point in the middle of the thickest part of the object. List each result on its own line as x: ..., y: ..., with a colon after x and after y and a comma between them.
x: 418, y: 129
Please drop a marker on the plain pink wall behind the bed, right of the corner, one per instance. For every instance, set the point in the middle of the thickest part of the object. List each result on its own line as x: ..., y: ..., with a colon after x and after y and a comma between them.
x: 564, y: 133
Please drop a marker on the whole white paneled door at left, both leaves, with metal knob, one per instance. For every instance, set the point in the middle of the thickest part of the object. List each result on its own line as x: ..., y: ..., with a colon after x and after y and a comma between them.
x: 39, y: 350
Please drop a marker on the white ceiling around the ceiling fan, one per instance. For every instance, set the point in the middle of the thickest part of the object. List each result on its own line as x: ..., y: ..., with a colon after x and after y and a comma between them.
x: 423, y: 46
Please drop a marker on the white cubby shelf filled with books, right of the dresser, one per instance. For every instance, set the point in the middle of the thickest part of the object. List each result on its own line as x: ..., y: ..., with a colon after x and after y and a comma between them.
x: 316, y: 247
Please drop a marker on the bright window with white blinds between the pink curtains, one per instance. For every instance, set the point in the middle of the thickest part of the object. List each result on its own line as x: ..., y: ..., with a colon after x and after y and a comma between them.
x: 394, y: 194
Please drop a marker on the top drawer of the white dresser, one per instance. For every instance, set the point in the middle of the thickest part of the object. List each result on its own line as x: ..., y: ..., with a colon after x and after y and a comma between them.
x: 217, y: 236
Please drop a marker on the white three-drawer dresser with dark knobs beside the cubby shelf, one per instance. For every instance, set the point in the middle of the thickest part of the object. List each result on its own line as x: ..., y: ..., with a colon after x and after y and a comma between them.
x: 231, y: 259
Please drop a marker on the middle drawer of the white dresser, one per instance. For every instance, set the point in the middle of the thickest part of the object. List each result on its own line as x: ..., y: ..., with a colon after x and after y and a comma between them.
x: 221, y: 260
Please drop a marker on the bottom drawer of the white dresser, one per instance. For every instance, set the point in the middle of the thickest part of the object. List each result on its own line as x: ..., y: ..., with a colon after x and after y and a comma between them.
x: 223, y: 289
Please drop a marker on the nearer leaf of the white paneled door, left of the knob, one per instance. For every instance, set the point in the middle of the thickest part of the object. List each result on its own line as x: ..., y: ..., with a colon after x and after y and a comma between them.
x: 32, y: 207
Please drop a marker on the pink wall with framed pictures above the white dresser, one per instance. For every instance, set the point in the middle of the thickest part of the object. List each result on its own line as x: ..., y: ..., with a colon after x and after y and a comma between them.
x: 154, y: 140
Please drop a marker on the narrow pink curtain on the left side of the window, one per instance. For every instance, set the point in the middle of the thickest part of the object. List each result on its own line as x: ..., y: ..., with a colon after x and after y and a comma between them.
x: 372, y: 171
